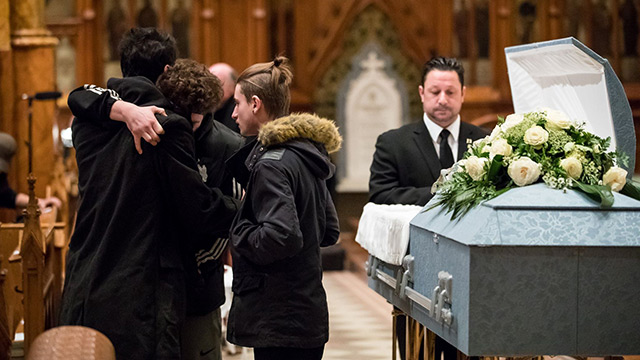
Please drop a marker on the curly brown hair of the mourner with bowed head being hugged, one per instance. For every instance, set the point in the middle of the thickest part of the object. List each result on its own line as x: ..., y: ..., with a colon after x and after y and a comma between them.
x: 190, y: 87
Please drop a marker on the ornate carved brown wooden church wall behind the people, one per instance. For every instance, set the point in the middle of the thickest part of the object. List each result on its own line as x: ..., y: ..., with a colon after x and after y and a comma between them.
x: 320, y: 37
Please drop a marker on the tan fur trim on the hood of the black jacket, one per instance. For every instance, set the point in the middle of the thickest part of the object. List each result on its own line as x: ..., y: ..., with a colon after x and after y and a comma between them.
x: 301, y: 126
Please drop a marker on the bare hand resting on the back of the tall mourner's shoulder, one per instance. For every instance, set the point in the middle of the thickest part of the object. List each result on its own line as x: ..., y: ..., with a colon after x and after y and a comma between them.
x: 141, y: 121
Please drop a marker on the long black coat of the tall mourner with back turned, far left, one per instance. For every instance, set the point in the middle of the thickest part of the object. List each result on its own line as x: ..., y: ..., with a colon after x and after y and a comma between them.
x: 124, y: 272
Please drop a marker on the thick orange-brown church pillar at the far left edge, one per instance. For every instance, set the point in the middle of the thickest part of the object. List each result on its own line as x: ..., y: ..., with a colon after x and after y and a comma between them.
x: 33, y: 70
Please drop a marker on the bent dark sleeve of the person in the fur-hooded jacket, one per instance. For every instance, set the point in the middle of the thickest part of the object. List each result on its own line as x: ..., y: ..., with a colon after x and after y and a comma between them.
x: 269, y: 230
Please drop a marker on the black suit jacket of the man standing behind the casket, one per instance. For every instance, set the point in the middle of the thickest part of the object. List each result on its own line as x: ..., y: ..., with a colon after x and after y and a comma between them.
x: 406, y: 163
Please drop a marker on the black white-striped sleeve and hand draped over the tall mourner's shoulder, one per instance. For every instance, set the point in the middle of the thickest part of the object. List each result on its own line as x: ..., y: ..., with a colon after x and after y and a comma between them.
x: 90, y: 102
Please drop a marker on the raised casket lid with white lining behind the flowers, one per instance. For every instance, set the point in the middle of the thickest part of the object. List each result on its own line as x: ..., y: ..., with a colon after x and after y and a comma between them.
x: 566, y: 75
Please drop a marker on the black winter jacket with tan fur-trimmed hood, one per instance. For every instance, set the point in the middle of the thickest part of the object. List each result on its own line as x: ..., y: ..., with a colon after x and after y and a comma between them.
x: 287, y: 215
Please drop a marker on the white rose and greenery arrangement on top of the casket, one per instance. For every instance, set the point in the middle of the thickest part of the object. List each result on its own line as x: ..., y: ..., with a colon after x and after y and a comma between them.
x: 523, y: 149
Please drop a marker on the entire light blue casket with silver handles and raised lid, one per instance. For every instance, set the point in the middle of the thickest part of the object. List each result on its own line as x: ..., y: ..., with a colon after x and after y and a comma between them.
x: 536, y: 270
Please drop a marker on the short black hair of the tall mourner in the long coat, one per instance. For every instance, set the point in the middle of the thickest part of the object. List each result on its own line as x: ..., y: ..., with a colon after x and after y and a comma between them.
x: 146, y: 51
